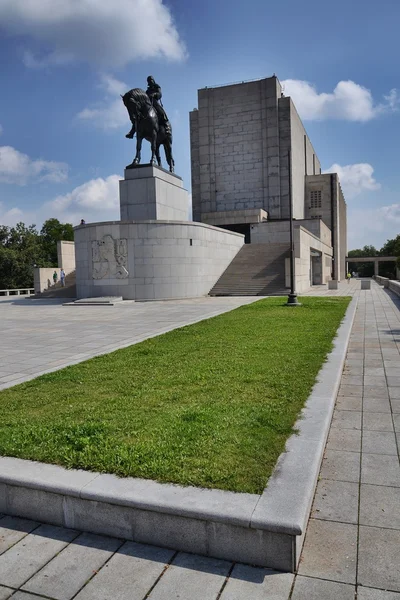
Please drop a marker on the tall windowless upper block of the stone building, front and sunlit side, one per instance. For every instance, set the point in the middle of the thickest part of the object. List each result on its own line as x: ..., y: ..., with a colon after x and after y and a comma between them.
x: 240, y: 138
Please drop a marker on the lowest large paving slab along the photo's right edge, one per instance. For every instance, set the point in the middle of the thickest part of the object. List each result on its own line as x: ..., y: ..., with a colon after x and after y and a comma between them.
x: 378, y: 562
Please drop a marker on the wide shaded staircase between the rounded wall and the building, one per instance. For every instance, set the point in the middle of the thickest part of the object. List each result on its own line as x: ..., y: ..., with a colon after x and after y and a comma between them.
x: 257, y: 270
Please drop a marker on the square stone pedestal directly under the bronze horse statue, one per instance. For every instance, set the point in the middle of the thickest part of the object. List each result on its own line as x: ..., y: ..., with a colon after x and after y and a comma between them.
x: 150, y: 193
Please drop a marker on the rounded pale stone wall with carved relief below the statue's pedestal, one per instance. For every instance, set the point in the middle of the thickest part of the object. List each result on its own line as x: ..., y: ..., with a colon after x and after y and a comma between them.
x: 151, y: 260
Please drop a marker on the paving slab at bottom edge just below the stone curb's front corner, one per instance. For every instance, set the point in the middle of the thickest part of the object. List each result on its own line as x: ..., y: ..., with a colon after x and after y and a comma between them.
x: 308, y: 588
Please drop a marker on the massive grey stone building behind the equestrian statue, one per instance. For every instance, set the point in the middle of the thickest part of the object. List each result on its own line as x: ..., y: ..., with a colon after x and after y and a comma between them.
x: 241, y: 136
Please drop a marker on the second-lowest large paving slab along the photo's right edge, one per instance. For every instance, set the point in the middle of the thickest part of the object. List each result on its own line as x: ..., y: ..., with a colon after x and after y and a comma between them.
x: 380, y: 506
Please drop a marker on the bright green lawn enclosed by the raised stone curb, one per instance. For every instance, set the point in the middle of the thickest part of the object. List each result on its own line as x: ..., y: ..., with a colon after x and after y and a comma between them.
x: 211, y: 404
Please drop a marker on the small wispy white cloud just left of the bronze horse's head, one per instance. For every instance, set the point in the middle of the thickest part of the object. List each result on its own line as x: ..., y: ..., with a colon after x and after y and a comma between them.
x: 111, y: 112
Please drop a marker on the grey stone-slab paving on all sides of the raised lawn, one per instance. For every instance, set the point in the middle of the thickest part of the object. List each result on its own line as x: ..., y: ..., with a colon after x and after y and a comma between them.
x: 352, y: 545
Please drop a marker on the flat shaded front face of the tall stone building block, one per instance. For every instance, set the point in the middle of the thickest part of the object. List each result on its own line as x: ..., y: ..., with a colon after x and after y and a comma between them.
x: 235, y: 148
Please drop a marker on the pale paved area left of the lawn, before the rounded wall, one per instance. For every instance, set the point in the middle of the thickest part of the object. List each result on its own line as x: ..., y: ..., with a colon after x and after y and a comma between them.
x: 48, y: 331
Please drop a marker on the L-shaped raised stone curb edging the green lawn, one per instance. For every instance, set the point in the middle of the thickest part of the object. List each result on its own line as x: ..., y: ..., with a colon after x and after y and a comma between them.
x: 266, y: 530
